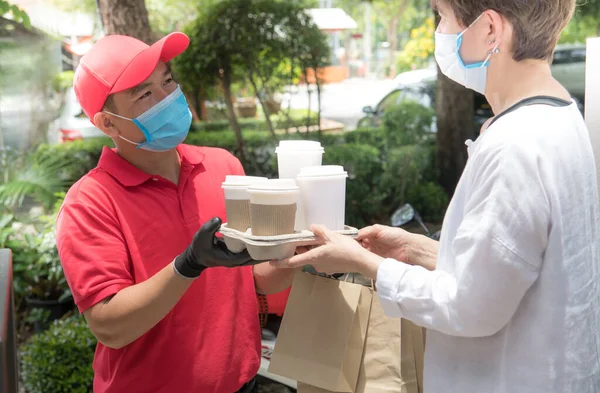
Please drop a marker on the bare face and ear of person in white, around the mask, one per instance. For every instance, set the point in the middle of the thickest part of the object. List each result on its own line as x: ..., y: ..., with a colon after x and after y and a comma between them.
x: 475, y: 44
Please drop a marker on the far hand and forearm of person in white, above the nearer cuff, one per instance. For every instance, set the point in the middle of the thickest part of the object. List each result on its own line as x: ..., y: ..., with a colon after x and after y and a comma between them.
x: 398, y: 244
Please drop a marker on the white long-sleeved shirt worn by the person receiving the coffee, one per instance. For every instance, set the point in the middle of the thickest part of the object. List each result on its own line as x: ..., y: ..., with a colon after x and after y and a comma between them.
x: 513, y: 305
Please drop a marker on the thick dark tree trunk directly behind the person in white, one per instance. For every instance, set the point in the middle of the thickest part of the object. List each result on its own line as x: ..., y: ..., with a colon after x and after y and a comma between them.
x: 454, y: 108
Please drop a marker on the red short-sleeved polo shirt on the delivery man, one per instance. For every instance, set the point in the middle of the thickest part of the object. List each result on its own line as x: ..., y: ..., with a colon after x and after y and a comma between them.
x: 118, y: 227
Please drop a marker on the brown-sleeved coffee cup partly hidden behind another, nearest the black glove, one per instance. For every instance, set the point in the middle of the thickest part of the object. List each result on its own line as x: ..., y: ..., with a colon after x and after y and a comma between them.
x: 237, y: 200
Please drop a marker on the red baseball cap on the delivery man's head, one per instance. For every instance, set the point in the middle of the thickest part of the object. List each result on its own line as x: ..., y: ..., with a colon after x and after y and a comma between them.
x: 116, y: 63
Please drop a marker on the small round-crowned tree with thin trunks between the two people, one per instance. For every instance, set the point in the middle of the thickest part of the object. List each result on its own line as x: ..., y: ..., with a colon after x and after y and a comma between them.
x: 262, y: 43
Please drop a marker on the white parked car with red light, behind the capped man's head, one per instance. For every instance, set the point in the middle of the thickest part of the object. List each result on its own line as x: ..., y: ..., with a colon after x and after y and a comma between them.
x: 72, y: 124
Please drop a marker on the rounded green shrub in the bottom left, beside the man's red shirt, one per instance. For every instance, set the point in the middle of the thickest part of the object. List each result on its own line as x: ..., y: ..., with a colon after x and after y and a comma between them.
x: 60, y: 359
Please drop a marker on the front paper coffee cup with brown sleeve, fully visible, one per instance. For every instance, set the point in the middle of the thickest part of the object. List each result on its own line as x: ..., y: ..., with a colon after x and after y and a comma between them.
x: 273, y: 206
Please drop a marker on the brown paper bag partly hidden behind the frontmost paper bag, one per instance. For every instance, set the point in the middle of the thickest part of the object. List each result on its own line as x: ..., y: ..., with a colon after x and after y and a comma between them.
x: 392, y: 361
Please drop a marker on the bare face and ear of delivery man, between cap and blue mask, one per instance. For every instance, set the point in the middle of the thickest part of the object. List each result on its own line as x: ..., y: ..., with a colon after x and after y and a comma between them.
x: 133, y: 102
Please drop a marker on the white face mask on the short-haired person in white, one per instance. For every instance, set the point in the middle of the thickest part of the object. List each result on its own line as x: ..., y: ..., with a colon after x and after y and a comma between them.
x: 447, y: 55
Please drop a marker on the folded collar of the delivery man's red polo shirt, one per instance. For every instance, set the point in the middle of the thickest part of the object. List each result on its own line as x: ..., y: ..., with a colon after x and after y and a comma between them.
x: 130, y: 176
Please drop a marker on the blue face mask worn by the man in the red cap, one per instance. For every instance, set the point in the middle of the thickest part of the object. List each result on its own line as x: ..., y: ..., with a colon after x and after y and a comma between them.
x: 165, y: 125
